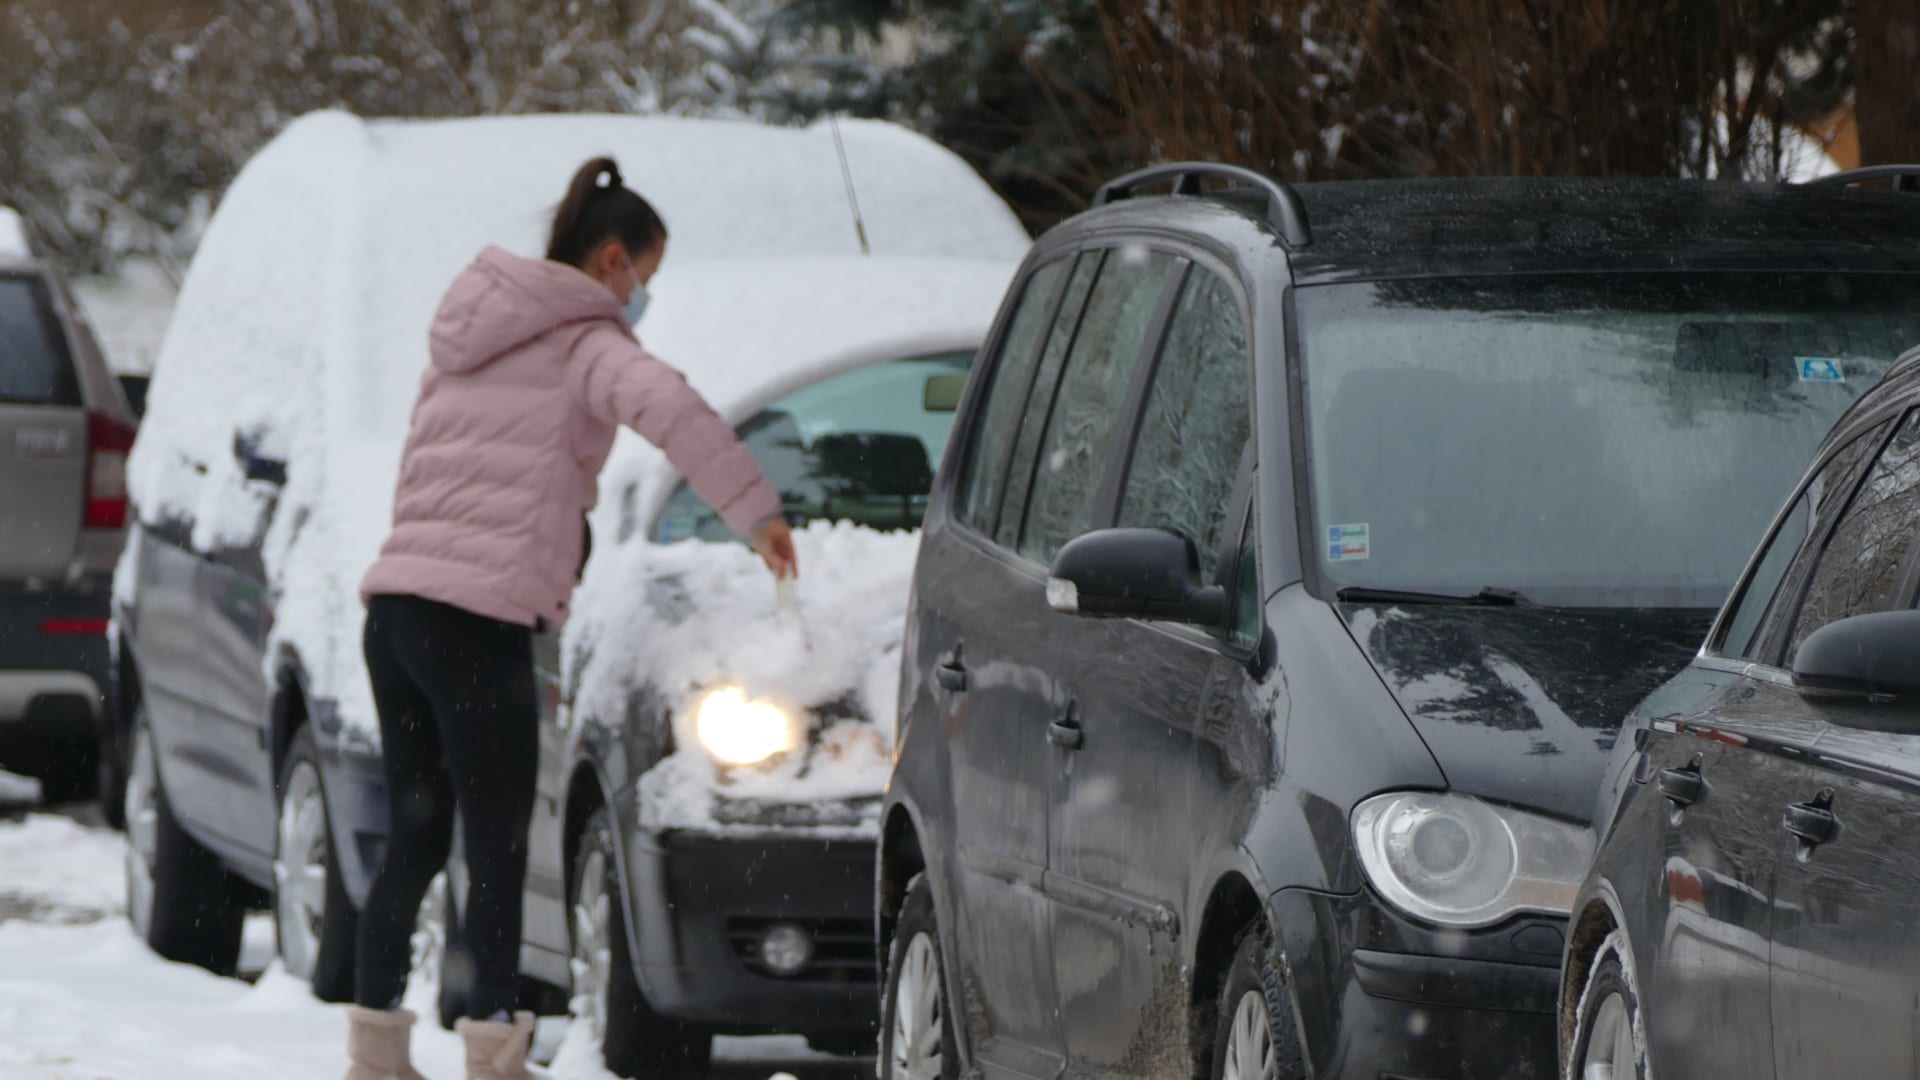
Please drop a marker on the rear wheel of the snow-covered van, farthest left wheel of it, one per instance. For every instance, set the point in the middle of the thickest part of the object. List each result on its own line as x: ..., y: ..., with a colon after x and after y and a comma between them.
x: 180, y: 896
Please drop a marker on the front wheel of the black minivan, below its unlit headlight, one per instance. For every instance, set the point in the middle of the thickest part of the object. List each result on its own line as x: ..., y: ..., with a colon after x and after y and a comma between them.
x: 1257, y: 1033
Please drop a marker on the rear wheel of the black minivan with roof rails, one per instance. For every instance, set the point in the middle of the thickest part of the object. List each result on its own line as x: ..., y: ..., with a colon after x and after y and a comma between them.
x: 917, y: 1029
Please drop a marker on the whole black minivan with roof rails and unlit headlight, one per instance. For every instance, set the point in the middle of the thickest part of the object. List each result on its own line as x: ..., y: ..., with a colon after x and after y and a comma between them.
x: 1293, y: 566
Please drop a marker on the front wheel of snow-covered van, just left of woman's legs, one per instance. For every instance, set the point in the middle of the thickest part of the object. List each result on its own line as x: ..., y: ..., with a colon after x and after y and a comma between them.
x: 314, y: 918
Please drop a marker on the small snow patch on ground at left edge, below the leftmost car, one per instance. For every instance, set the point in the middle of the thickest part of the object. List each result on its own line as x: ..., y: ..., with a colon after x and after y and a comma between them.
x: 60, y: 870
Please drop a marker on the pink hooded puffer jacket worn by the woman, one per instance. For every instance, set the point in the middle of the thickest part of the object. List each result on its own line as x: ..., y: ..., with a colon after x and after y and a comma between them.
x: 533, y: 372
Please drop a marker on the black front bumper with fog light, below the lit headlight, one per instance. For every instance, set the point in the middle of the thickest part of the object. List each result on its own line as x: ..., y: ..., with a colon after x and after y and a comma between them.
x: 700, y: 906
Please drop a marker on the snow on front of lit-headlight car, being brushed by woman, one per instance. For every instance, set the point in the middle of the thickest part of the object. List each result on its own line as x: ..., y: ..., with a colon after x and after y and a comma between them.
x: 692, y: 618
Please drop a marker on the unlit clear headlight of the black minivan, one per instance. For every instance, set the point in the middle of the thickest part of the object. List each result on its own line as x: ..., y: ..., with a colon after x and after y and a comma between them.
x: 1462, y: 862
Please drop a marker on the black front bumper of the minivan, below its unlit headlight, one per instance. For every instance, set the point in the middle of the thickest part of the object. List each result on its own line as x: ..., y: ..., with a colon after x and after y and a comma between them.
x: 1385, y: 998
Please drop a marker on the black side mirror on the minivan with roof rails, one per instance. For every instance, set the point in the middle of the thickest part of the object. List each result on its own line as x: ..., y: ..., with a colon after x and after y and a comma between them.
x: 1136, y: 574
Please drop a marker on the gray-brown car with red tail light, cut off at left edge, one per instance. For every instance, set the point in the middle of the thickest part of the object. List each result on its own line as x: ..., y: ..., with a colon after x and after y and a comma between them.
x: 64, y: 439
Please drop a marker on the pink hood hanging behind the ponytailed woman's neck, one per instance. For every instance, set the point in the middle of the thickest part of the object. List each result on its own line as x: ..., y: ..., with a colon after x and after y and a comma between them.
x: 502, y: 303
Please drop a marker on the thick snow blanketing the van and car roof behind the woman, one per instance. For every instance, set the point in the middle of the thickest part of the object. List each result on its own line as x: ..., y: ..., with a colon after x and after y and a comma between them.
x: 320, y: 355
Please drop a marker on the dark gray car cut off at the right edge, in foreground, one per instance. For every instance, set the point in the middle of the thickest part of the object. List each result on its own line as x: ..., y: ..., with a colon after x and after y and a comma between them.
x: 1752, y: 910
